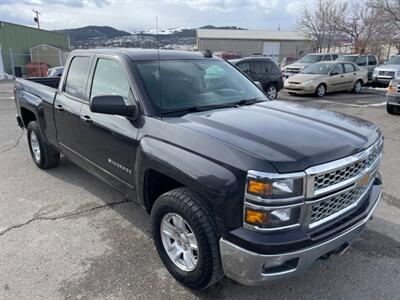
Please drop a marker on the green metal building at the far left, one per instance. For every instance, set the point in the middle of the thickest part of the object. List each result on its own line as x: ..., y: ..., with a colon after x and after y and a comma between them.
x: 16, y: 41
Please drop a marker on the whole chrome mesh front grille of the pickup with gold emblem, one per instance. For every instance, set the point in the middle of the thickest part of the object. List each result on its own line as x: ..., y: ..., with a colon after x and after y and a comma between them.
x: 337, y: 187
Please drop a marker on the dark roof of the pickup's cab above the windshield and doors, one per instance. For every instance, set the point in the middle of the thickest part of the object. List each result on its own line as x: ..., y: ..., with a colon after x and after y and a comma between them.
x: 148, y: 54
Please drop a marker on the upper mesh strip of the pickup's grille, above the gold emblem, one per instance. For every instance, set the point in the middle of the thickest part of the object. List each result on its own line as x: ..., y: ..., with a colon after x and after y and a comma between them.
x: 330, y: 178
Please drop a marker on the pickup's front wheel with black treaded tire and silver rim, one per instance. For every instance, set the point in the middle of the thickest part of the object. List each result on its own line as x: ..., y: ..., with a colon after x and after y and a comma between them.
x: 197, y: 219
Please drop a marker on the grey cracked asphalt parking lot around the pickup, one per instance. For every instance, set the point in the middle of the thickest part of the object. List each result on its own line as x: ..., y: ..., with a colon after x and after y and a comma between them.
x: 66, y: 235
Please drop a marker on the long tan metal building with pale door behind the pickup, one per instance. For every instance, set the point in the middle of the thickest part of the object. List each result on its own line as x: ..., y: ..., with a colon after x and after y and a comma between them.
x: 275, y: 44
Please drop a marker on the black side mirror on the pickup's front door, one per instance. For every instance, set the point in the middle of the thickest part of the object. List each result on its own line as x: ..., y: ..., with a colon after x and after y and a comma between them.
x: 113, y: 105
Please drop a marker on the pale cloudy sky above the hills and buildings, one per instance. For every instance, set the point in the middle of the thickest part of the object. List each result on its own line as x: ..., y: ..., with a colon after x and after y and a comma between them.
x: 134, y: 15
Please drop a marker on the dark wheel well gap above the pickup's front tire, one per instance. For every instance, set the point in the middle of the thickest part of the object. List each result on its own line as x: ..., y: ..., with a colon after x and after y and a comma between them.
x: 156, y: 184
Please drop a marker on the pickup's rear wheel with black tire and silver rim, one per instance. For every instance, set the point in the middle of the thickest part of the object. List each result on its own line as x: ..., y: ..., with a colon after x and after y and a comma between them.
x: 43, y: 155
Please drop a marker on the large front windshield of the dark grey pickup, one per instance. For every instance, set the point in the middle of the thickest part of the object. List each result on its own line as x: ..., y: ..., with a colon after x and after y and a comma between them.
x: 176, y: 85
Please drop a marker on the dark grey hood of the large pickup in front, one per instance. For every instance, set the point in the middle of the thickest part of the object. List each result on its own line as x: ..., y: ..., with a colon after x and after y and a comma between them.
x: 291, y: 137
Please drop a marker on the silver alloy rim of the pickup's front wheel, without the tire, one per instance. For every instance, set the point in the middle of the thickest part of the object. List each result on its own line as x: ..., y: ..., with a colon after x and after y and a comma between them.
x: 179, y: 242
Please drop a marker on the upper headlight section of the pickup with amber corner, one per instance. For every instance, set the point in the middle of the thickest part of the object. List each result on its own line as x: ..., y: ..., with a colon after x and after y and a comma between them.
x: 275, y: 188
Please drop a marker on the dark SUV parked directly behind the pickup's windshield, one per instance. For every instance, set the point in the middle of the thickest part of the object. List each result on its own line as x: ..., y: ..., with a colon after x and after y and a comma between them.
x: 263, y: 70
